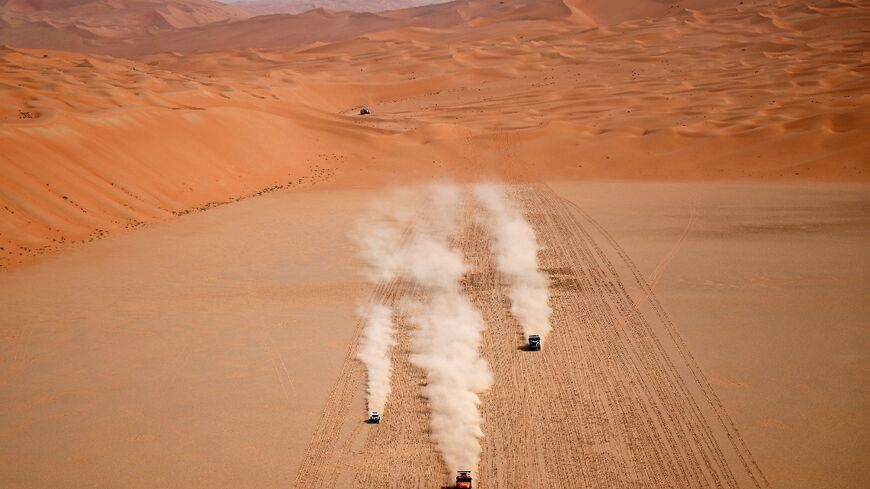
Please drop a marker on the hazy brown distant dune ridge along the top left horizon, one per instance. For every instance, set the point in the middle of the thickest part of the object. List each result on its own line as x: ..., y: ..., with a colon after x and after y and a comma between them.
x: 148, y: 36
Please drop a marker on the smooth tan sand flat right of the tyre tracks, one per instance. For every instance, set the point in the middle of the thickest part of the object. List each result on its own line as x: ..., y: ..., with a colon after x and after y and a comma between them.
x: 768, y: 285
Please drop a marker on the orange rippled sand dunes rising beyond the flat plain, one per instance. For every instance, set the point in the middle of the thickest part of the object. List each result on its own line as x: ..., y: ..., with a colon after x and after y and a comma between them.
x: 92, y: 145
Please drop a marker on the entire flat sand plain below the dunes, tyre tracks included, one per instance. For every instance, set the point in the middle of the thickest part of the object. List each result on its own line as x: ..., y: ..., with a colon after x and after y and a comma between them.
x: 216, y: 350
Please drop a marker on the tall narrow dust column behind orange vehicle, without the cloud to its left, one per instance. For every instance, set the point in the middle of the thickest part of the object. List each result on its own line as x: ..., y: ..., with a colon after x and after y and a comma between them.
x: 446, y: 343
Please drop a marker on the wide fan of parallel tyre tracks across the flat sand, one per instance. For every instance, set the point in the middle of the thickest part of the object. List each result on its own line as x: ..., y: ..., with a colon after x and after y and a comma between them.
x: 614, y: 399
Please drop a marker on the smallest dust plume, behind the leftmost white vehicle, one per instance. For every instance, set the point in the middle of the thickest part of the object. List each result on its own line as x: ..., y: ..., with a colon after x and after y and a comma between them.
x: 375, y: 343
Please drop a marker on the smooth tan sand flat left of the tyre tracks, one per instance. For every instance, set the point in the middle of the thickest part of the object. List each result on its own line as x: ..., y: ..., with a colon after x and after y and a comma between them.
x: 191, y: 354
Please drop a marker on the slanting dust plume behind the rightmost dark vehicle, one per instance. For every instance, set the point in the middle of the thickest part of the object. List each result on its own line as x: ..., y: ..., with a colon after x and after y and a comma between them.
x: 516, y: 252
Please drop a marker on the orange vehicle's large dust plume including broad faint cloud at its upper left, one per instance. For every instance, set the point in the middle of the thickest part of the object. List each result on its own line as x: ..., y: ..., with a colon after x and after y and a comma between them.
x: 401, y: 240
